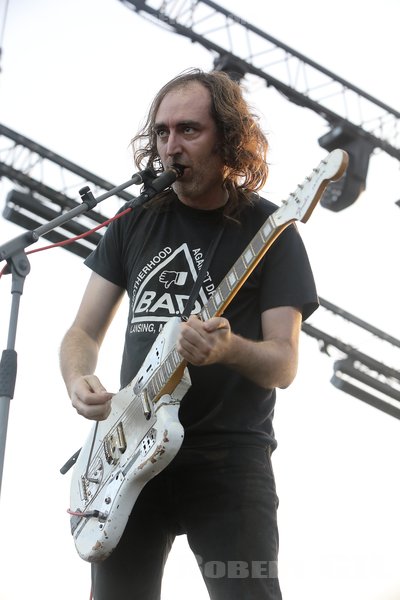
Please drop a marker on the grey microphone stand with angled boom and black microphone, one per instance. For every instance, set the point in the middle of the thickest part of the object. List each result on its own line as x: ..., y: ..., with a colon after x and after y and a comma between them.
x: 13, y: 252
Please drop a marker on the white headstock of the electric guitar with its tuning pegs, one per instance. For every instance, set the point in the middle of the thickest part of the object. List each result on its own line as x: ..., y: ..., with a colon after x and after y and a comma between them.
x: 301, y: 203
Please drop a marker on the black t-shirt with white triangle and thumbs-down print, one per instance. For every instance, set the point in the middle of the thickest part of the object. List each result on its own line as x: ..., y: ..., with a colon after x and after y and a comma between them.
x: 155, y: 254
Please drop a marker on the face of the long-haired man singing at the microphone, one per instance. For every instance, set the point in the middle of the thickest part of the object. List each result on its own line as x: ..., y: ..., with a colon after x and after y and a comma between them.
x: 187, y: 135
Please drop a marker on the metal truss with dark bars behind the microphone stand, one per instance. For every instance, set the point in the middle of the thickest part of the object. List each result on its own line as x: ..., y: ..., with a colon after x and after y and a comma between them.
x: 47, y: 185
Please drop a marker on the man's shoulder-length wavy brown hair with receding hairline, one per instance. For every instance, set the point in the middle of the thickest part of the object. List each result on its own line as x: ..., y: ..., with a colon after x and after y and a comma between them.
x: 243, y: 146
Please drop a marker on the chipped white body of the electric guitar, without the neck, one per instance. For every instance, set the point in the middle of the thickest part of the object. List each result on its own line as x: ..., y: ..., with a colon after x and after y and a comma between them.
x: 137, y: 441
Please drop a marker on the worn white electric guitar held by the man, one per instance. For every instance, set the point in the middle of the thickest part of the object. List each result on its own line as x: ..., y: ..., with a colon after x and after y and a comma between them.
x: 143, y: 433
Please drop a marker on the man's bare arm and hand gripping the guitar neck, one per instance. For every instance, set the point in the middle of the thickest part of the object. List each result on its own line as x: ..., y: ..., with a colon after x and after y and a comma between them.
x: 270, y: 363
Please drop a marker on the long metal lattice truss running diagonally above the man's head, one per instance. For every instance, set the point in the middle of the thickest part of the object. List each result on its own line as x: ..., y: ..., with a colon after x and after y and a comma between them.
x: 248, y: 50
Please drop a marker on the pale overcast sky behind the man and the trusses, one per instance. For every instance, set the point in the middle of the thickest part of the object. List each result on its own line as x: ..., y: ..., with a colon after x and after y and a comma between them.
x: 77, y: 76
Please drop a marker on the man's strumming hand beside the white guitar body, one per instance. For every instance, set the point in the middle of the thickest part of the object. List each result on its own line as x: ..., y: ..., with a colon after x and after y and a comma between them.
x: 90, y: 398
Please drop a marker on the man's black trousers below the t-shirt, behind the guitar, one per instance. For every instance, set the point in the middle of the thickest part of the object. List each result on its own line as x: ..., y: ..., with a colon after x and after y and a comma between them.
x: 224, y: 499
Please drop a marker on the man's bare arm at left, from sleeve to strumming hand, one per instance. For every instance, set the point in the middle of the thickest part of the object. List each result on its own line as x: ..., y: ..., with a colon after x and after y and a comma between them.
x: 81, y: 344
